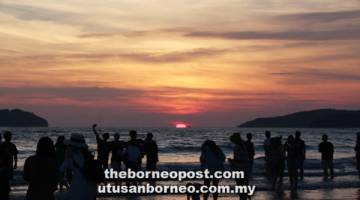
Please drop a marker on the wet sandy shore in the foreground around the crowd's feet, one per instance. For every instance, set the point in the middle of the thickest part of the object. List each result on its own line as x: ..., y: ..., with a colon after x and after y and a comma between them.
x: 343, y: 187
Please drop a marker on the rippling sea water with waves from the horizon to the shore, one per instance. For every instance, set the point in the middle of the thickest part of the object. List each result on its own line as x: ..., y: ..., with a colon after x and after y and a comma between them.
x: 180, y: 150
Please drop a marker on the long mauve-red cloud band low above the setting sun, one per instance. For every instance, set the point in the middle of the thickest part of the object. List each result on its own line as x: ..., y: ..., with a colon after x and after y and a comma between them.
x: 155, y: 100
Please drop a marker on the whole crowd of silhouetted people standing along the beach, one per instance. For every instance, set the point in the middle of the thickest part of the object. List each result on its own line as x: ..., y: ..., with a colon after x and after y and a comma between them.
x: 69, y: 163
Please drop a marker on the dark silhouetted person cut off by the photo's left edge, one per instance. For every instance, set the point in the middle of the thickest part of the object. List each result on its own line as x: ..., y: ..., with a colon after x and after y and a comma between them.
x: 5, y: 173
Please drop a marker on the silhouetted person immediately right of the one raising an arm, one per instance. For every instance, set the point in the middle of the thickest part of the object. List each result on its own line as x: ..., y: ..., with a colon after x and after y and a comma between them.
x: 117, y: 148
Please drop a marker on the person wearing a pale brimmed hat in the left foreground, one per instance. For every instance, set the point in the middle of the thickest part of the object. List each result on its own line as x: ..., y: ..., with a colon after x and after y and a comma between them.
x: 81, y: 187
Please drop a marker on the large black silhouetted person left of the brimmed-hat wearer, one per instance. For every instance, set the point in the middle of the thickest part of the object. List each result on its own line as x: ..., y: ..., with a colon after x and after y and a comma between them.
x: 41, y: 172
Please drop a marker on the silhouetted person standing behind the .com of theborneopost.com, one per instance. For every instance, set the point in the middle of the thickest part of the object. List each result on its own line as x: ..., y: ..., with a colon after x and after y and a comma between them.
x: 240, y: 161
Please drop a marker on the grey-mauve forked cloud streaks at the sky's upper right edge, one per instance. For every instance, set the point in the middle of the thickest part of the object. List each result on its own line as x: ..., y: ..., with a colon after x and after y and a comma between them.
x: 300, y: 31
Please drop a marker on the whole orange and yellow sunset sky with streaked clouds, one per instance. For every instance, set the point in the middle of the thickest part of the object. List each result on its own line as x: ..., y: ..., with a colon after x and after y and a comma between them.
x: 154, y: 62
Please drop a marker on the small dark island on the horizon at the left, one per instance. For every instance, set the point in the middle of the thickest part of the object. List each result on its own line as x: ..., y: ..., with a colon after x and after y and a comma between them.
x: 20, y: 118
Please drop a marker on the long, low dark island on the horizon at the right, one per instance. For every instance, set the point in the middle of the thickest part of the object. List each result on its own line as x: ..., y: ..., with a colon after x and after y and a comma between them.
x: 322, y: 118
